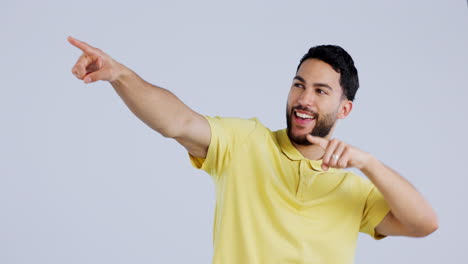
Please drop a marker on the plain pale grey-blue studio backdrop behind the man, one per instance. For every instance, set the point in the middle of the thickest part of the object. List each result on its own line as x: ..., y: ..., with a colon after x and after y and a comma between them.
x: 83, y: 180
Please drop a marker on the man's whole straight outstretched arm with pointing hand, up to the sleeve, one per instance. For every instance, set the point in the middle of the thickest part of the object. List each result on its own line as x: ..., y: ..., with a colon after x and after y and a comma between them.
x: 157, y: 107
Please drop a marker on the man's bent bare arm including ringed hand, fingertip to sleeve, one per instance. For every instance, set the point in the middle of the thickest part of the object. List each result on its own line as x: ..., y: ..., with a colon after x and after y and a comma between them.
x: 410, y: 215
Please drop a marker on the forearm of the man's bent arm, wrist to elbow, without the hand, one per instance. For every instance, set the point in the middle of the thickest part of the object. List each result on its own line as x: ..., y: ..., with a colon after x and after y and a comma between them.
x: 406, y: 203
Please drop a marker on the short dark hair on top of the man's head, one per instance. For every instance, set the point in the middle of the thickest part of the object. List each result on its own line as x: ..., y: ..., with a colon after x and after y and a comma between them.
x: 341, y: 62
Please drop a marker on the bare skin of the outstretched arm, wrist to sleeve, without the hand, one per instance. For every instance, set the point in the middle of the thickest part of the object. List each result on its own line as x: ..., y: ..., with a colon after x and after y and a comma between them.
x: 161, y: 110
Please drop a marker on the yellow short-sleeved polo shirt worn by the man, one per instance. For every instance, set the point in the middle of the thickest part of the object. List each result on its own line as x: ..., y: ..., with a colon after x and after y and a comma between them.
x: 275, y: 206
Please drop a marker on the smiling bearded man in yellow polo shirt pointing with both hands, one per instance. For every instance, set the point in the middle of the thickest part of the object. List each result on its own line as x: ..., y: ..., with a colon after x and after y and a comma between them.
x: 282, y: 196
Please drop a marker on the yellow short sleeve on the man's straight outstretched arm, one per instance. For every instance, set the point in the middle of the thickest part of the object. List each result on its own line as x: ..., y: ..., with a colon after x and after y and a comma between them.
x: 226, y: 135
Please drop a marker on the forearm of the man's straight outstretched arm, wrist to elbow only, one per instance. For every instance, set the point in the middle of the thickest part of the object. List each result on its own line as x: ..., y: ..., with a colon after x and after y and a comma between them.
x: 157, y: 107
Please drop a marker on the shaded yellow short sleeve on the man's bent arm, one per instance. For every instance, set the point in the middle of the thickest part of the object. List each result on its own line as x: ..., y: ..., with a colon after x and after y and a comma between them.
x: 375, y: 209
